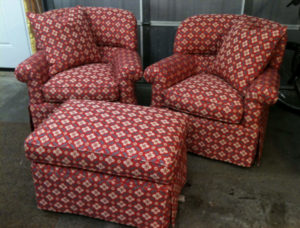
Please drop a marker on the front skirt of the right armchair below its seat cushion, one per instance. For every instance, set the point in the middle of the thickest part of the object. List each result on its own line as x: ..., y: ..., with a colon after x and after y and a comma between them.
x: 231, y: 143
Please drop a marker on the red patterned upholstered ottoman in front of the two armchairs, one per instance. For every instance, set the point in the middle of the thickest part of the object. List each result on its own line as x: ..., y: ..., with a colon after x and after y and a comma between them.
x: 117, y: 162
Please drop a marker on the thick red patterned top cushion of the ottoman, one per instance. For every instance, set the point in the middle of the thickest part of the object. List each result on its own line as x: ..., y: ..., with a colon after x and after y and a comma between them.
x: 112, y: 138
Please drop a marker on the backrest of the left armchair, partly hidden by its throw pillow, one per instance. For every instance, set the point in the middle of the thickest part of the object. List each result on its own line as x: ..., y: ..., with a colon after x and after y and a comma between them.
x: 111, y: 27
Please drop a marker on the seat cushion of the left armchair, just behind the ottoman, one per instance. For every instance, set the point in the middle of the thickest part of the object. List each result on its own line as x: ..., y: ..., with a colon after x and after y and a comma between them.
x: 92, y: 81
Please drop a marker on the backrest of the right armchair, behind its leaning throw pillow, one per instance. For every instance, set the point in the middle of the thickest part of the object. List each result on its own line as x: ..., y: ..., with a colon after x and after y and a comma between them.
x: 203, y: 34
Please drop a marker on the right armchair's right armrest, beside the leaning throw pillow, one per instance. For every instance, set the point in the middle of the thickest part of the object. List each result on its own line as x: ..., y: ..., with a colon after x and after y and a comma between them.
x: 264, y: 89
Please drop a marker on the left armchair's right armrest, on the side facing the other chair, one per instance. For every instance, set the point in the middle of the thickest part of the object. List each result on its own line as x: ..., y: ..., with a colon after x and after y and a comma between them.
x: 127, y: 65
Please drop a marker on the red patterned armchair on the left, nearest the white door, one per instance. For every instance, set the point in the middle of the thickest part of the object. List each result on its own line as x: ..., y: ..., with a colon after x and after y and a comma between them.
x: 110, y: 76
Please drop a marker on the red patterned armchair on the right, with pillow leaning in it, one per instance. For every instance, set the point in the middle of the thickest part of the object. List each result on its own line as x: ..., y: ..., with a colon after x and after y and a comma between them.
x: 224, y: 73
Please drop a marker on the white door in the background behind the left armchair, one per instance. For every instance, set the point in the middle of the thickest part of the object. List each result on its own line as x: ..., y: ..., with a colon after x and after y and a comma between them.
x: 14, y: 38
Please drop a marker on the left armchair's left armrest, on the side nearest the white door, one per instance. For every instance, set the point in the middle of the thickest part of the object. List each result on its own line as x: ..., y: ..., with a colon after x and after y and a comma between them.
x: 34, y: 68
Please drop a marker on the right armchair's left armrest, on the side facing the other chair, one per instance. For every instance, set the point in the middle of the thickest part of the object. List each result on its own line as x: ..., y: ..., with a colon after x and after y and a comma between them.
x: 170, y: 70
